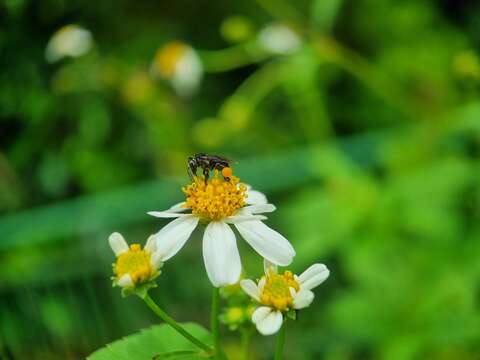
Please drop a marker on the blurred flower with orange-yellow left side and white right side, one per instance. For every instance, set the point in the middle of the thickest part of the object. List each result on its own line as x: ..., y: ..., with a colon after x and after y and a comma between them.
x: 180, y: 64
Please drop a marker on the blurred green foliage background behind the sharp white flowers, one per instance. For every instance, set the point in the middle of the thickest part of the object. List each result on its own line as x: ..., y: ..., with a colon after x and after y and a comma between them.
x: 359, y: 119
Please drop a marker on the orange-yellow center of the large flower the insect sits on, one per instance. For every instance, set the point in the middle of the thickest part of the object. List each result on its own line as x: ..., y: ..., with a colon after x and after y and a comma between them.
x: 215, y: 199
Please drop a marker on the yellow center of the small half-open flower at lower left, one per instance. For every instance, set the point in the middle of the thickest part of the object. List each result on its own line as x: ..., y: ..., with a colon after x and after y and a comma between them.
x: 135, y: 262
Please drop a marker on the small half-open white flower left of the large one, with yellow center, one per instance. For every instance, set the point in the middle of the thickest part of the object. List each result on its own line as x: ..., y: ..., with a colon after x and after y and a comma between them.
x: 134, y: 266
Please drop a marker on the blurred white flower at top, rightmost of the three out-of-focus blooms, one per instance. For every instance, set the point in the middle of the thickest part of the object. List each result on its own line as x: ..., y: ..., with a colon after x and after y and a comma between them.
x: 279, y: 39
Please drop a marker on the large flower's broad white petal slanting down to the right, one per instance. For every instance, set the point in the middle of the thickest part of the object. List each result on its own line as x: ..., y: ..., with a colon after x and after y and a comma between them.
x: 267, y: 242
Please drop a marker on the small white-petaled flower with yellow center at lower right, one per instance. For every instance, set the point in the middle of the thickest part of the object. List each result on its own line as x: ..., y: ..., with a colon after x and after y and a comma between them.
x: 279, y: 293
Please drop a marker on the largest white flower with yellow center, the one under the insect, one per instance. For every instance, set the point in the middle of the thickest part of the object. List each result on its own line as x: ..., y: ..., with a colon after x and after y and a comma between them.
x: 218, y: 204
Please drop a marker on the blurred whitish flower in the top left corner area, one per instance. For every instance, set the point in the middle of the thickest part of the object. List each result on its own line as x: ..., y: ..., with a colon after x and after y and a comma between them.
x: 70, y: 40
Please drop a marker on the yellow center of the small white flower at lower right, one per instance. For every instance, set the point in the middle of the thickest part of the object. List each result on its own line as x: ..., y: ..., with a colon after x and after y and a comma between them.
x: 276, y: 292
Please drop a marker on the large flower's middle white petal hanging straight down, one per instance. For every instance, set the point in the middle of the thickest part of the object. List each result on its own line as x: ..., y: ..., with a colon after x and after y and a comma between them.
x: 220, y: 254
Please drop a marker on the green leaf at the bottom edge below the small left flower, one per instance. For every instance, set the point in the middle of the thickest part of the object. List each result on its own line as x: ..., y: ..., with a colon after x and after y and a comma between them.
x: 156, y: 342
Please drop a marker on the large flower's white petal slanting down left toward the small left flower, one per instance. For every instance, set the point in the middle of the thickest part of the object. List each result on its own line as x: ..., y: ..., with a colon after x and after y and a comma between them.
x: 171, y: 238
